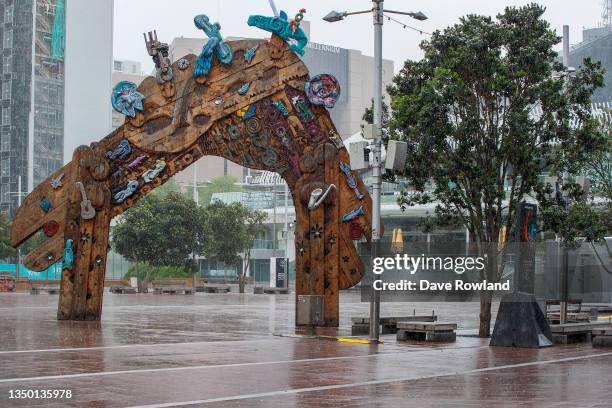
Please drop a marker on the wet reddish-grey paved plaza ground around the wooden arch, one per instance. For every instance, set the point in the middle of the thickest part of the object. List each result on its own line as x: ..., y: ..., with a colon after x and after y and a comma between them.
x: 220, y: 350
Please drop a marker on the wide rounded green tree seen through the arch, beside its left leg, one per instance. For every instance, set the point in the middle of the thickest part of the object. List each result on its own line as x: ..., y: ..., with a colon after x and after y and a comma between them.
x: 161, y: 231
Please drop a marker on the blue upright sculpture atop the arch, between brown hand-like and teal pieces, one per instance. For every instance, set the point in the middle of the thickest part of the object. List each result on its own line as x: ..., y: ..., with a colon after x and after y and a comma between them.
x: 214, y: 46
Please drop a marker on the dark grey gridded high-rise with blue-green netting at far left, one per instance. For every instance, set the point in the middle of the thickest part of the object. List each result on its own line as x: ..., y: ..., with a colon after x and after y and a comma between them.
x: 32, y: 119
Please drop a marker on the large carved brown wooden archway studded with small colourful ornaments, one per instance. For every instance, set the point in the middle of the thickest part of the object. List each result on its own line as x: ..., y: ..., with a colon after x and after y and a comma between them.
x: 252, y: 111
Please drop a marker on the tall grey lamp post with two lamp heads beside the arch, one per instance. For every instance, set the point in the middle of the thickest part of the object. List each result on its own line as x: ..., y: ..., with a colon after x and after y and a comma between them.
x: 378, y: 14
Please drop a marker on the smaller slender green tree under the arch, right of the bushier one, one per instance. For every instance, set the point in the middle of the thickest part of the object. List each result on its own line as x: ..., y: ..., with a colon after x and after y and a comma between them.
x: 233, y: 229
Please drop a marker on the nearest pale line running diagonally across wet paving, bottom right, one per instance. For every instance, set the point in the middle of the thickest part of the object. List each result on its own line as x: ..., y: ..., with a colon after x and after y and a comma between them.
x: 364, y: 383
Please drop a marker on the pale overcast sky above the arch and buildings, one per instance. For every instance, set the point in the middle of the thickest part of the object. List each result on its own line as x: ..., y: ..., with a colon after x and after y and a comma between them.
x: 174, y: 18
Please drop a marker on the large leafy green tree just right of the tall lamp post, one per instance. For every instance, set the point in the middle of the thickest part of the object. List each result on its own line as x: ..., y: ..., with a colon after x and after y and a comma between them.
x: 483, y: 114
